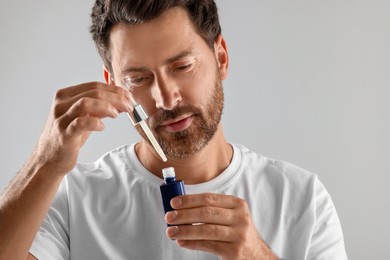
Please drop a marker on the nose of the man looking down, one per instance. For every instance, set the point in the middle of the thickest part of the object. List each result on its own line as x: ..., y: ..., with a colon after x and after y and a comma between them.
x: 166, y: 93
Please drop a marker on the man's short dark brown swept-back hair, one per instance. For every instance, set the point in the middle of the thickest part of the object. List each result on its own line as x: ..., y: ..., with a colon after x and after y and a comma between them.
x: 106, y: 13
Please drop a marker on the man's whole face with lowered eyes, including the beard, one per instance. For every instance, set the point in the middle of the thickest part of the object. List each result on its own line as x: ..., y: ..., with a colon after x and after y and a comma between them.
x: 174, y: 75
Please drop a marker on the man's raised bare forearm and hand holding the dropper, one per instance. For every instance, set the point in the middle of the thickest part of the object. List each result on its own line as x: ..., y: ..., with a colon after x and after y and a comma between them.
x: 76, y: 111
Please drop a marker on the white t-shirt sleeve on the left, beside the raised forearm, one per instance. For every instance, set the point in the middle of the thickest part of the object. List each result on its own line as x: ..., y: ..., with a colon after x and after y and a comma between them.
x: 52, y: 239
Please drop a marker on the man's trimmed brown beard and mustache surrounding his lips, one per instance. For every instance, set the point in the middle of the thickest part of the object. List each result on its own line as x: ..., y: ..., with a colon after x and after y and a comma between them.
x: 203, y: 128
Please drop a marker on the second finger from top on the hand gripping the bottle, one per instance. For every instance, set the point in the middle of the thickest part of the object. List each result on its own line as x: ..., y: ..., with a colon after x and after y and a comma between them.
x: 212, y: 215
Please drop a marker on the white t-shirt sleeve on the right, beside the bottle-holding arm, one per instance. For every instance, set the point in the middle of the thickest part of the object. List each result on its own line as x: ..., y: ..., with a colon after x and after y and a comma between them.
x: 327, y: 240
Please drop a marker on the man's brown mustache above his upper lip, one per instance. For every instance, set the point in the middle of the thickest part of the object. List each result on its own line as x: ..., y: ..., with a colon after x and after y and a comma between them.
x: 163, y: 115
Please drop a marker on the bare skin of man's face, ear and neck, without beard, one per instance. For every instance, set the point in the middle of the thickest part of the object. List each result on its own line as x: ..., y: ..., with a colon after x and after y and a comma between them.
x: 134, y: 47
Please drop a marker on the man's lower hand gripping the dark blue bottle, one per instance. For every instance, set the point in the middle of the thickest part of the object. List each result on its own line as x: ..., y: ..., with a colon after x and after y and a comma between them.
x: 219, y: 224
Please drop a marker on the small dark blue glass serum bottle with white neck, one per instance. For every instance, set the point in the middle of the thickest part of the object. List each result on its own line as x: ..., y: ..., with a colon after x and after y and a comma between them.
x: 171, y: 188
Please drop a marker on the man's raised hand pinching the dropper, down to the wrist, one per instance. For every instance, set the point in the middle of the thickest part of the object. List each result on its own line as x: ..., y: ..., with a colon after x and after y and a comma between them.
x: 76, y: 111
